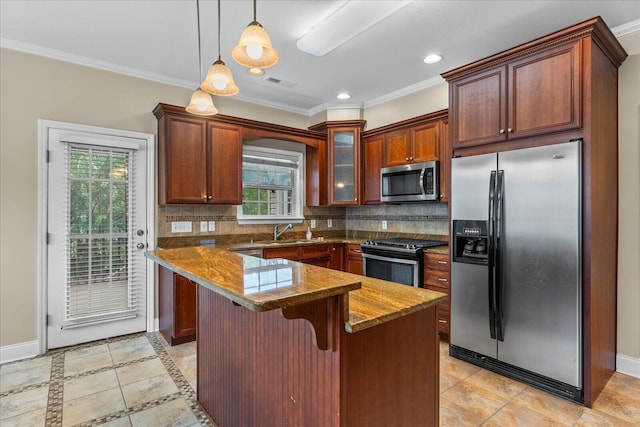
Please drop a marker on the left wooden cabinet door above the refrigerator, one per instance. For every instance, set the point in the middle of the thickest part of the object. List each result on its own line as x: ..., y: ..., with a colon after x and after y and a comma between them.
x: 478, y: 108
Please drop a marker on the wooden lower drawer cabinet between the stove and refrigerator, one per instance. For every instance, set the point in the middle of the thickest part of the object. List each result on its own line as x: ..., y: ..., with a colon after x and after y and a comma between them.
x: 437, y: 278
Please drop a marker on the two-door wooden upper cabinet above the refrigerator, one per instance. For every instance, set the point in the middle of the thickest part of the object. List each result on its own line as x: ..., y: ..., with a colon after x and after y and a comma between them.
x: 536, y: 94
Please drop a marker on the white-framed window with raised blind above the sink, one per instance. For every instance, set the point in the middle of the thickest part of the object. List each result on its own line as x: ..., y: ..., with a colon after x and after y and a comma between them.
x: 271, y: 186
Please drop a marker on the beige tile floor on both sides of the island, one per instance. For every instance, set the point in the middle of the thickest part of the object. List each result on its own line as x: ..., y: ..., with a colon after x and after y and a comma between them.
x: 140, y: 381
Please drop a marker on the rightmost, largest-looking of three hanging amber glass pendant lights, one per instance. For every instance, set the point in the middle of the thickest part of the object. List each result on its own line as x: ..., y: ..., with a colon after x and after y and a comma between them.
x: 254, y: 49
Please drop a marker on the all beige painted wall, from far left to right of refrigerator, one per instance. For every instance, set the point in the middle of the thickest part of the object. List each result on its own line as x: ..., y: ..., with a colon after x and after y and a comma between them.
x: 32, y: 87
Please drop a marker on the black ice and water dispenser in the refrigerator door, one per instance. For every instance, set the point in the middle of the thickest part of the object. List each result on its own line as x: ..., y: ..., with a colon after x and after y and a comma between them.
x: 471, y: 242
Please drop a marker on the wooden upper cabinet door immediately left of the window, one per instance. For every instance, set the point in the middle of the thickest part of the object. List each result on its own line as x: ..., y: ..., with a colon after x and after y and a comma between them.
x: 225, y: 164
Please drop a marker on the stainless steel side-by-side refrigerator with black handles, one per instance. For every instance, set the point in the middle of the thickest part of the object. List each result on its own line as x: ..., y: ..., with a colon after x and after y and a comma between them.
x: 516, y: 303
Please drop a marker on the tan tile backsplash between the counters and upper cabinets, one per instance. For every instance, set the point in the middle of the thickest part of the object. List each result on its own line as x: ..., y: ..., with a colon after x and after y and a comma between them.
x: 418, y: 218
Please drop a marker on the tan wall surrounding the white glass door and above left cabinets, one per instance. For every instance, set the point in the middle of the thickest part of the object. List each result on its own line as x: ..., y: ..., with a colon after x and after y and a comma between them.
x: 33, y: 88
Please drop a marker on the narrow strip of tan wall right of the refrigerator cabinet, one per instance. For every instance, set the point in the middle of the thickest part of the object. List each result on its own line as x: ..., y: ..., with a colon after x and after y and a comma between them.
x: 629, y: 199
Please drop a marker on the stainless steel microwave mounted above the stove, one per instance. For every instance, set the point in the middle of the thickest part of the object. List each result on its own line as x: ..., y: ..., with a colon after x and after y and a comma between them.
x: 413, y: 182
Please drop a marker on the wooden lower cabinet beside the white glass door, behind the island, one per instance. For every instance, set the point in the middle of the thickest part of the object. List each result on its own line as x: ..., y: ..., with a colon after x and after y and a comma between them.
x: 177, y: 303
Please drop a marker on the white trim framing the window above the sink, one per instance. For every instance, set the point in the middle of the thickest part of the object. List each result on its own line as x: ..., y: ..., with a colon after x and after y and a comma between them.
x: 298, y: 192
